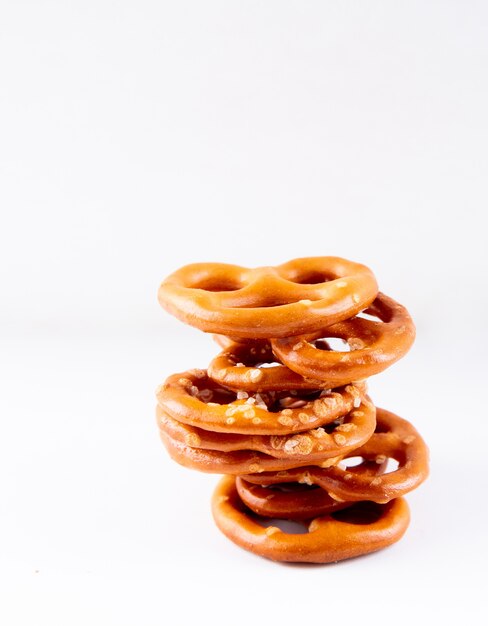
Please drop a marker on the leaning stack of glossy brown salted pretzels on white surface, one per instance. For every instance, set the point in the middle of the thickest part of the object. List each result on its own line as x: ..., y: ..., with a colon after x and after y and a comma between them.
x: 284, y: 415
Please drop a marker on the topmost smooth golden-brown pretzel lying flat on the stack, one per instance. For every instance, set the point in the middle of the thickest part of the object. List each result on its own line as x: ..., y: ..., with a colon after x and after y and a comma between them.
x: 294, y: 298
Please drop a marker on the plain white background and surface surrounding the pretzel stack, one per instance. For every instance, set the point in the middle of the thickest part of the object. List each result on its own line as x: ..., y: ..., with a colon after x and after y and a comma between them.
x: 140, y: 136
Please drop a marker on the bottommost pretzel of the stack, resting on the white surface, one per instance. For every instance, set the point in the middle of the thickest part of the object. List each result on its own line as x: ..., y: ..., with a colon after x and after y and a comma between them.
x: 330, y: 538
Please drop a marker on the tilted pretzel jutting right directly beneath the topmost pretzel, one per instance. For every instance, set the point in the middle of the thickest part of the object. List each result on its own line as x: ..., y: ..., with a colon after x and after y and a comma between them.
x: 375, y: 345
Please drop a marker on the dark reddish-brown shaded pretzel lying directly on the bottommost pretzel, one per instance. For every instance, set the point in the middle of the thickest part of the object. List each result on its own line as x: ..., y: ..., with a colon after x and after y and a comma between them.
x: 298, y: 503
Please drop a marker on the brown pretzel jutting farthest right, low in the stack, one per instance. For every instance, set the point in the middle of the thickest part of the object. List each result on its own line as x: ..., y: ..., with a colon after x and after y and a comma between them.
x: 395, y: 438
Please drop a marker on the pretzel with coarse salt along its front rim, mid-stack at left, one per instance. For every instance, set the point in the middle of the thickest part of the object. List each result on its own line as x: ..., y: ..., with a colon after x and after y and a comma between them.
x: 195, y: 399
